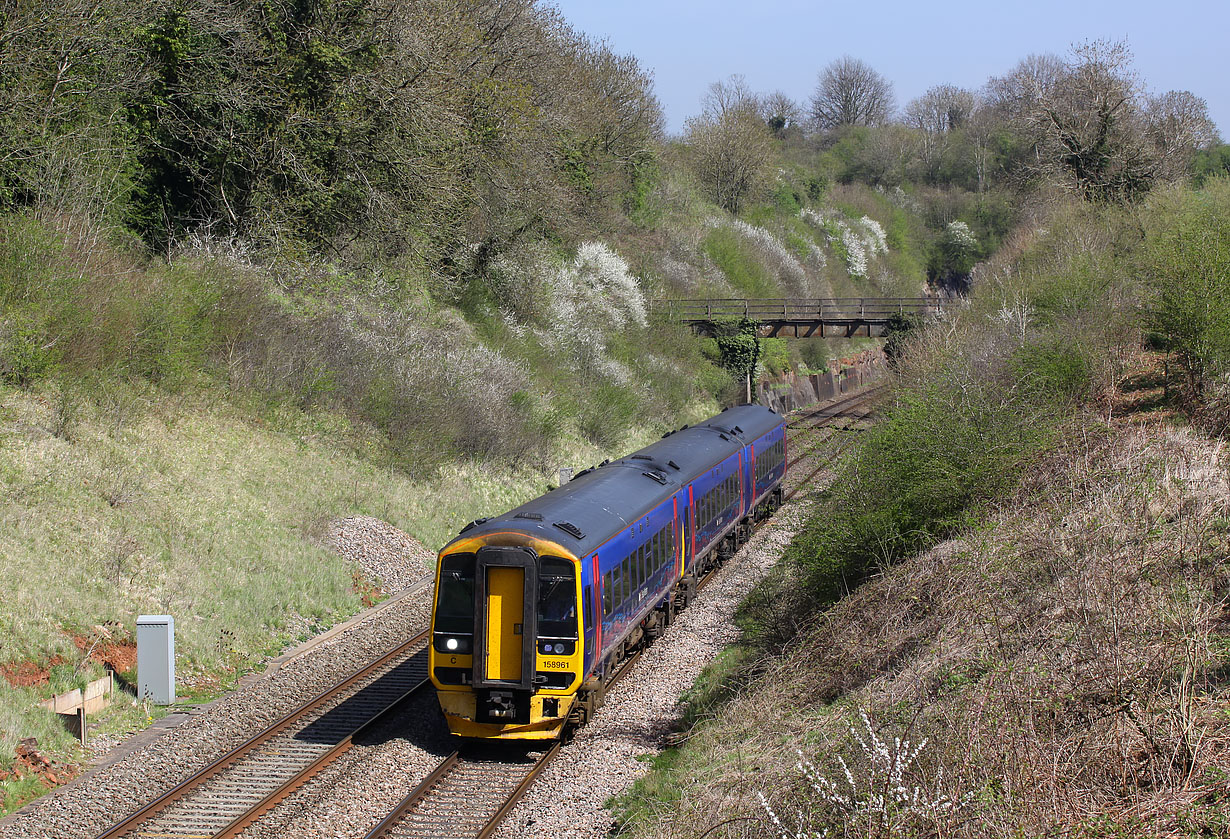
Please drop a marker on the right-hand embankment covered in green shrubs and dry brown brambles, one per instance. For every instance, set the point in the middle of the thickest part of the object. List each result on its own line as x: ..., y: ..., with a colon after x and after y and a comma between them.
x: 1040, y: 532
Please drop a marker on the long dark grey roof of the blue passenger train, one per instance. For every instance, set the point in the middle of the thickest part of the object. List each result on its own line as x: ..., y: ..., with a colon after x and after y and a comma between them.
x: 598, y: 504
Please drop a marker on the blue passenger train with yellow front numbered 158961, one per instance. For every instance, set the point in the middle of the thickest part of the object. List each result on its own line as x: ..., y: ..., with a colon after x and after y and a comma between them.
x: 536, y: 610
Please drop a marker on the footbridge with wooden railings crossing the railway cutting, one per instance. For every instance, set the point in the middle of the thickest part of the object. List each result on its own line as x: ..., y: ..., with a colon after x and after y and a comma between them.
x: 803, y: 318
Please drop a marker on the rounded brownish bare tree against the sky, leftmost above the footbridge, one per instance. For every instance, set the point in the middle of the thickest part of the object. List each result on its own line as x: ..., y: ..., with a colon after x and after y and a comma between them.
x: 730, y: 146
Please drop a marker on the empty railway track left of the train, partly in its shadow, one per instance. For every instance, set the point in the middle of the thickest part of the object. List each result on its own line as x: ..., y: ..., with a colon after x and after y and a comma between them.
x: 238, y: 789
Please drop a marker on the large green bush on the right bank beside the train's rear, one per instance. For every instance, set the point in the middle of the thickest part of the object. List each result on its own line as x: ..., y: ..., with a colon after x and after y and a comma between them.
x: 971, y: 408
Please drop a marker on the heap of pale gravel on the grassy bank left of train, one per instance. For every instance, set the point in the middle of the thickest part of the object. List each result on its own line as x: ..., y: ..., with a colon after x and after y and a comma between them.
x: 386, y: 554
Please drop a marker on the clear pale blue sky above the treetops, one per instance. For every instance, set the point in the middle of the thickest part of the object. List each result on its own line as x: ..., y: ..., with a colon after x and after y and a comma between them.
x: 783, y: 45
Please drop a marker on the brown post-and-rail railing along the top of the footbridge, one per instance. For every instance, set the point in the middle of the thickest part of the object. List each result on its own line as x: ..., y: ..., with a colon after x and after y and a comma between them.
x: 798, y: 309
